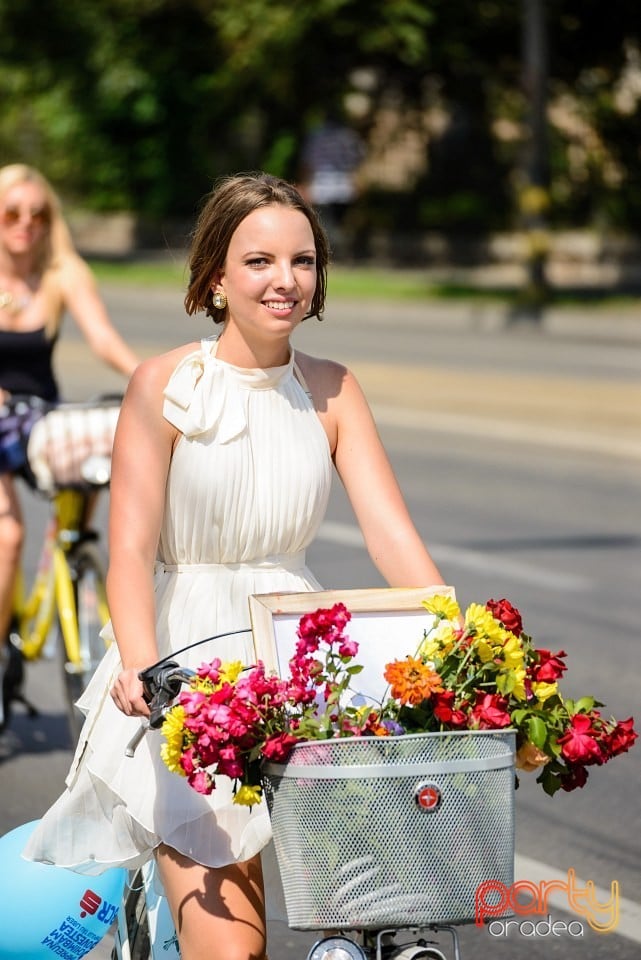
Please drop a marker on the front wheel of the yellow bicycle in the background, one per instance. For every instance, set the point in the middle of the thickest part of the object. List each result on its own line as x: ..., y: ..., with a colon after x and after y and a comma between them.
x: 89, y: 599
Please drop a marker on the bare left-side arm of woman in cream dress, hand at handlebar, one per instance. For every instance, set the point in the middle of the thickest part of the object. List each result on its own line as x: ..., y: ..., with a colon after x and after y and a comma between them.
x: 141, y: 457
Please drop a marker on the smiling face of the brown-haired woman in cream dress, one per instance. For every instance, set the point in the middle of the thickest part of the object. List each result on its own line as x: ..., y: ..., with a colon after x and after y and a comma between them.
x: 269, y: 276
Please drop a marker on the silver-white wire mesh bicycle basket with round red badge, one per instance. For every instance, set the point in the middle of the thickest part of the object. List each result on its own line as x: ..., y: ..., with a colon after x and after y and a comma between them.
x: 400, y: 831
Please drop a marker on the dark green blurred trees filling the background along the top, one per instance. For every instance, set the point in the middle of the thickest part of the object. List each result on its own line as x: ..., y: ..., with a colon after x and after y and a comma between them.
x: 141, y: 104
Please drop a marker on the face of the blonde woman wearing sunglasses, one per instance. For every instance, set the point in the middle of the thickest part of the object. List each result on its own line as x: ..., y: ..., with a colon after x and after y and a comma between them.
x: 24, y: 218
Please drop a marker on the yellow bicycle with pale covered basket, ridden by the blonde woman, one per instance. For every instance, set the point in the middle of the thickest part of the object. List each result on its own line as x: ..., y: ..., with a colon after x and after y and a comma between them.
x: 65, y: 606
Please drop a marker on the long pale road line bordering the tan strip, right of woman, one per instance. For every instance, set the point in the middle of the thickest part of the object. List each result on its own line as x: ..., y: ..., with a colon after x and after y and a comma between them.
x: 509, y: 430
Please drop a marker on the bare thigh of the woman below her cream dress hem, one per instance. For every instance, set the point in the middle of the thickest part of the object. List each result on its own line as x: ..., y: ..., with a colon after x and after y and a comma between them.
x: 219, y: 913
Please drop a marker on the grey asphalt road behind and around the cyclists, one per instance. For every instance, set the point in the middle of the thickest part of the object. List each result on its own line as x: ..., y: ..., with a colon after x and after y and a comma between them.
x: 519, y: 452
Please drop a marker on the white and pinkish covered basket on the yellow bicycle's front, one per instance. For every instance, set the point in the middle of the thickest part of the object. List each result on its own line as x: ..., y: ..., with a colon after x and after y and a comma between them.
x: 70, y: 446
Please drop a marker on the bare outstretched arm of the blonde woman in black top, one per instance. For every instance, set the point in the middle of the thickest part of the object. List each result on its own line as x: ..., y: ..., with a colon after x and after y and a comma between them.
x: 82, y: 299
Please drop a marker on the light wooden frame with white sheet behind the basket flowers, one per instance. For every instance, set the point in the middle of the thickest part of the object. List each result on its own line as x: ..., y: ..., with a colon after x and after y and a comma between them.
x: 387, y: 624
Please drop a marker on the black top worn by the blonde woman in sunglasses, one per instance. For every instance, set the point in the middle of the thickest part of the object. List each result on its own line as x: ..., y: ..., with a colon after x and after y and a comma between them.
x: 26, y: 363
